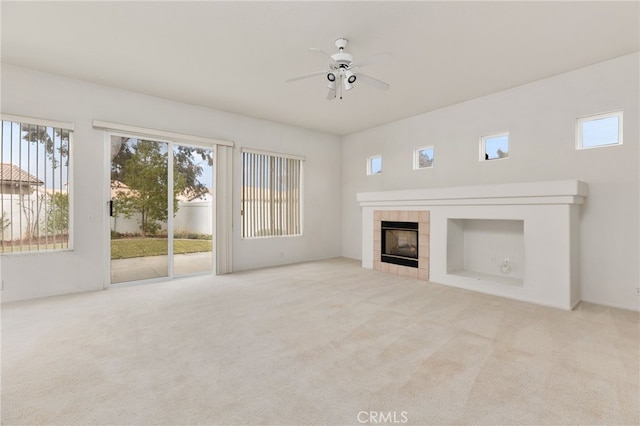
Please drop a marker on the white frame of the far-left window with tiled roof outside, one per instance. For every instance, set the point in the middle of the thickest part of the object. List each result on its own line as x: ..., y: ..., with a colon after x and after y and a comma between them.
x: 70, y: 128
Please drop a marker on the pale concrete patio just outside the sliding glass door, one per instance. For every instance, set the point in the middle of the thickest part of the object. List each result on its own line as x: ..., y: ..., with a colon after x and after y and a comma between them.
x: 144, y: 268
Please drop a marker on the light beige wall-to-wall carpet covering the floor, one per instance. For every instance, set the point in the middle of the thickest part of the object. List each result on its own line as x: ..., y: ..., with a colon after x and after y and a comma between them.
x: 314, y: 343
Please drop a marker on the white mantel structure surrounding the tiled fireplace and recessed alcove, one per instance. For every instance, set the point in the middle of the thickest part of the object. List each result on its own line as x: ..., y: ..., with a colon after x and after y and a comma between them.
x: 517, y: 240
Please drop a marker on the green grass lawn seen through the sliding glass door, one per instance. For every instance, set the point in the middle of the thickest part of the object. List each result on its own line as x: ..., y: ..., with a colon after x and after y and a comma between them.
x: 138, y: 247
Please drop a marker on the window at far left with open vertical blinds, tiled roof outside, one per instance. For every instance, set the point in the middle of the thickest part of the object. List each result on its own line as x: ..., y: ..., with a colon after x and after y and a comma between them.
x: 34, y: 185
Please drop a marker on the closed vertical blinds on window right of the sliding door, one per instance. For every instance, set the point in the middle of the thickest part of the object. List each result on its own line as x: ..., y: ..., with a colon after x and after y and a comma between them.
x: 271, y: 195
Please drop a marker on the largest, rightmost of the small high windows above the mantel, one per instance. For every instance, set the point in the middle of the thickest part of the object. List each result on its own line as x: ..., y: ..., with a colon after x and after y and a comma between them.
x: 599, y: 130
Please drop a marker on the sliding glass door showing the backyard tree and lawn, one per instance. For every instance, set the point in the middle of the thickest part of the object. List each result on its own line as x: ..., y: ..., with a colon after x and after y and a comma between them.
x: 161, y: 216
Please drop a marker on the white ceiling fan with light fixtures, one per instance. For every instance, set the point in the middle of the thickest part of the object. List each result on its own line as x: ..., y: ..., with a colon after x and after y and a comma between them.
x: 344, y: 71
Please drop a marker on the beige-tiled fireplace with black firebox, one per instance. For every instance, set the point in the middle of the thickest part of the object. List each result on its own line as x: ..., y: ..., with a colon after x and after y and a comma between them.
x: 401, y: 242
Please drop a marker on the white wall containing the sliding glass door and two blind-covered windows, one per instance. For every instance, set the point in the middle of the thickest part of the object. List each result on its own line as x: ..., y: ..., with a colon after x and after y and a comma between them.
x: 29, y: 93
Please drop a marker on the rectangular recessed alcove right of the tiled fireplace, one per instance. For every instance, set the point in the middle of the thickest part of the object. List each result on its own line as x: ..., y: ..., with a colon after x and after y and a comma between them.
x: 486, y: 249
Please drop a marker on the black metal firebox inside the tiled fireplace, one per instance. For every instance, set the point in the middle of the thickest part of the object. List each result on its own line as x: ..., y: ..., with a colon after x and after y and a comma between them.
x: 399, y: 243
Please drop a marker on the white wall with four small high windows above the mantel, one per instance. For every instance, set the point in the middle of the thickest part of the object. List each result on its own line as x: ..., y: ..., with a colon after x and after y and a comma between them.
x: 540, y: 118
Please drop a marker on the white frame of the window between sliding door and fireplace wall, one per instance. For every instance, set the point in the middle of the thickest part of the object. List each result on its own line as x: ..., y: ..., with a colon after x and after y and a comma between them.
x: 300, y: 182
